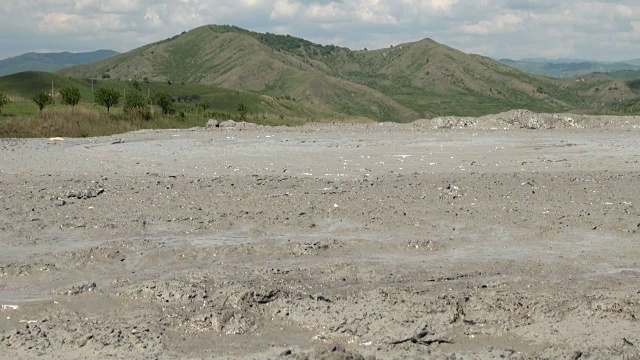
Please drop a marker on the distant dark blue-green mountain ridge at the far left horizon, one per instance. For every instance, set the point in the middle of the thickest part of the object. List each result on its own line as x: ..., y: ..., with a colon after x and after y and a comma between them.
x: 49, y: 61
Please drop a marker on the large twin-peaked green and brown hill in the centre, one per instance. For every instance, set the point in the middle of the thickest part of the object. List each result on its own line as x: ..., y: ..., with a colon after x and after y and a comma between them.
x: 405, y: 82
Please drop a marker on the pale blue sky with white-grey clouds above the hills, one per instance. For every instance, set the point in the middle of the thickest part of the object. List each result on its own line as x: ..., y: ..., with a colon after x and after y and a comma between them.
x: 606, y: 30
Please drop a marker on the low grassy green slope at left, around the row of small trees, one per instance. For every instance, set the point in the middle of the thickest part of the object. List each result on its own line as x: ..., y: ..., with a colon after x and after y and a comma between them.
x: 193, y: 105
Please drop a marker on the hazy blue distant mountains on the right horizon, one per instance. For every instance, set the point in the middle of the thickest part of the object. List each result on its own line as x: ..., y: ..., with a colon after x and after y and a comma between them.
x: 566, y: 67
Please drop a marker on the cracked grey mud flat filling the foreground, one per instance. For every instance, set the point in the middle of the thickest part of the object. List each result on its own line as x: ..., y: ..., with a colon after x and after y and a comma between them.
x: 326, y: 242
